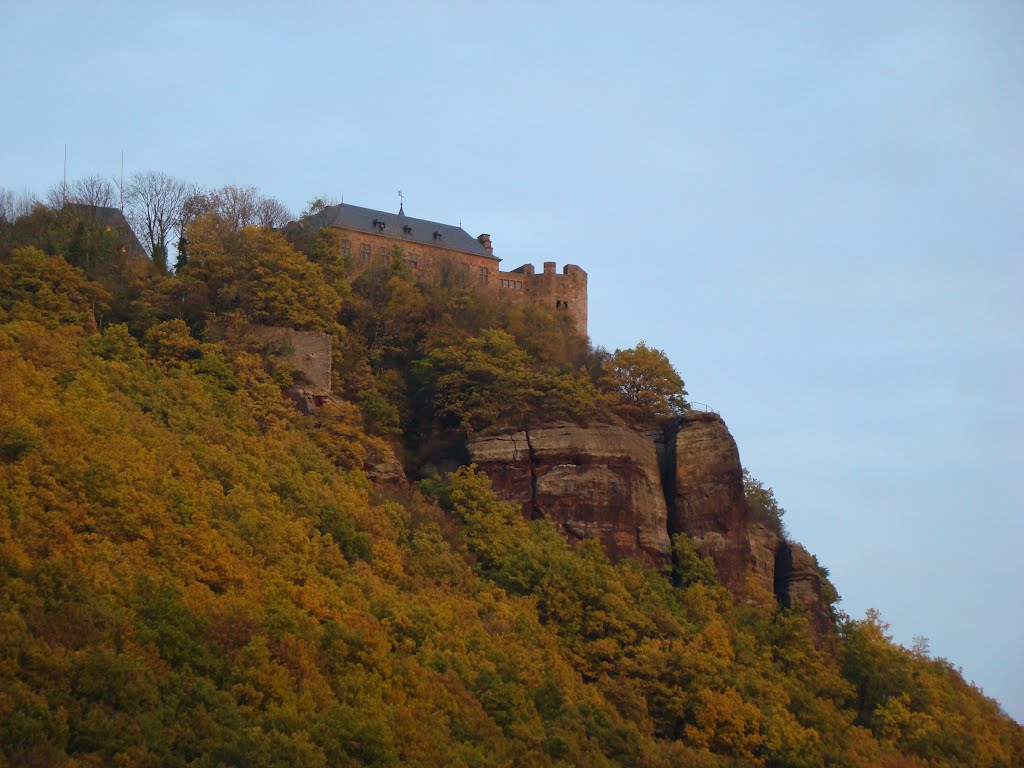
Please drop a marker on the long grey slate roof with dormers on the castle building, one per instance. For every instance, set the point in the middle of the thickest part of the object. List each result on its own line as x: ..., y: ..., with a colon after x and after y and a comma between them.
x: 422, y: 232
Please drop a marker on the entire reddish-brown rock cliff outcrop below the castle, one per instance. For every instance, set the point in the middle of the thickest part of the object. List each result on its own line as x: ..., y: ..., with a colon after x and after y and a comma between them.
x: 632, y: 492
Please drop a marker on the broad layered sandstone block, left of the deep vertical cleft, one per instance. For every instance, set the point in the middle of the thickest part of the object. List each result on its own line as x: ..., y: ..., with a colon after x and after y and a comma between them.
x: 600, y: 482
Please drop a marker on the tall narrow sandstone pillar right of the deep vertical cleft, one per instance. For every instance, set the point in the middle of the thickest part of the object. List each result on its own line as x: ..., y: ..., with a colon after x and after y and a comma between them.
x: 704, y: 482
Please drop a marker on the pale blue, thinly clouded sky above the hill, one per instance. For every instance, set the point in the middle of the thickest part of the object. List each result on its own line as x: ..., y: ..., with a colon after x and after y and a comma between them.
x: 816, y: 209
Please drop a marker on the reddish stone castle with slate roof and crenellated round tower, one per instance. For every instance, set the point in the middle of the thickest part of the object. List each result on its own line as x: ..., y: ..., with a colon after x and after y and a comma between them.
x: 431, y: 249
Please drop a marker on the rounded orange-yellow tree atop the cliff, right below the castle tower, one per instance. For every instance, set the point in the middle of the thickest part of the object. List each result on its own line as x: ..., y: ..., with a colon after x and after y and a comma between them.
x: 646, y: 382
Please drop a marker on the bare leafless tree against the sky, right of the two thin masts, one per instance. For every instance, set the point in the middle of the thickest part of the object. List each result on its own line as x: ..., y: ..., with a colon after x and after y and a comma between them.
x: 156, y: 204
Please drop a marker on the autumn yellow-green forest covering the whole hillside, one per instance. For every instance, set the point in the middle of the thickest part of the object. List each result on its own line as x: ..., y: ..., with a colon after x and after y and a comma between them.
x: 193, y: 573
